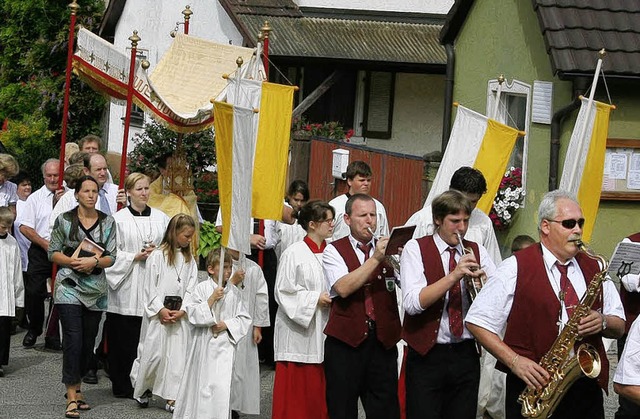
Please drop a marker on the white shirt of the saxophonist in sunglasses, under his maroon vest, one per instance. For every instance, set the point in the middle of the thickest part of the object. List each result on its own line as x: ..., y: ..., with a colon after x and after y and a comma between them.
x: 492, y: 306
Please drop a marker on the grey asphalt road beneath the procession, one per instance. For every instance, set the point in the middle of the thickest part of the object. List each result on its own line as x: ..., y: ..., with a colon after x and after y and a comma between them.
x: 32, y: 389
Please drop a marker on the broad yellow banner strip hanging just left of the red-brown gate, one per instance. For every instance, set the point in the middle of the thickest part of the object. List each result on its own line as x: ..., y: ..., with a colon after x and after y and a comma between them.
x: 272, y: 149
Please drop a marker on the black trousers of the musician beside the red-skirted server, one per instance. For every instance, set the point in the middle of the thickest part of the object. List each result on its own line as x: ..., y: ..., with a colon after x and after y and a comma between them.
x: 368, y: 372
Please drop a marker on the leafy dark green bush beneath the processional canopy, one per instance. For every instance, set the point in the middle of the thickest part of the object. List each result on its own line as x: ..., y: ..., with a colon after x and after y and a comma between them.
x: 157, y: 140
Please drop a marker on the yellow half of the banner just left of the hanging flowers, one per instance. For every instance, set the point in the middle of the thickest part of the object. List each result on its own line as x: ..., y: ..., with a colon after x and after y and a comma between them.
x: 492, y: 159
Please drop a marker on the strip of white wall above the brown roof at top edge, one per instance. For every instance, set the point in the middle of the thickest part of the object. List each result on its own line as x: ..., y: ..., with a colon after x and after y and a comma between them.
x: 415, y: 6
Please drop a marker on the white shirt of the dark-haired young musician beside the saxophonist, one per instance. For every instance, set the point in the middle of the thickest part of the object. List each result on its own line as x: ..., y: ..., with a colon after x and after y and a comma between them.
x: 412, y: 281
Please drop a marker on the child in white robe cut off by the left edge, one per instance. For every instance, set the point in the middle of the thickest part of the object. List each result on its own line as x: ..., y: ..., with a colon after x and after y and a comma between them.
x: 11, y: 286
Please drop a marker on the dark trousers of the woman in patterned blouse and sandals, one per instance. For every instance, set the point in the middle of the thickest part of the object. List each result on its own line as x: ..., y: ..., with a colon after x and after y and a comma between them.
x: 79, y: 330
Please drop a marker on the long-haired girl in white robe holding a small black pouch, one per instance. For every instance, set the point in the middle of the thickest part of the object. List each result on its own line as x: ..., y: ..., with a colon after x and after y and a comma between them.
x: 171, y: 275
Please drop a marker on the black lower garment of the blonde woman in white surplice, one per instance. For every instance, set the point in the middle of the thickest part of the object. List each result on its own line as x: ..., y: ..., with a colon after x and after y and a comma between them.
x: 124, y: 335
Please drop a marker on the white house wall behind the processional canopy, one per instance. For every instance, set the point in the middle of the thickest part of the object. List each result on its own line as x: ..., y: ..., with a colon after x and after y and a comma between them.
x: 154, y: 20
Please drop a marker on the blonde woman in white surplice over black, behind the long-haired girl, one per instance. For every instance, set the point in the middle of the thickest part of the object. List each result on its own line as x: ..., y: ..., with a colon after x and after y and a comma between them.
x: 139, y: 231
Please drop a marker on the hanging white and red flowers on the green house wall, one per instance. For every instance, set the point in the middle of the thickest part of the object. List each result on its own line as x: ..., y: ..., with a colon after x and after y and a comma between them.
x: 508, y: 199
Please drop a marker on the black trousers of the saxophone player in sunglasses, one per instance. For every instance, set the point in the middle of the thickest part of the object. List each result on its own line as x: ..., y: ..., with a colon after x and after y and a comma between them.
x: 583, y: 400
